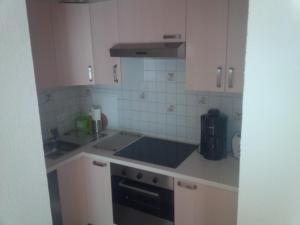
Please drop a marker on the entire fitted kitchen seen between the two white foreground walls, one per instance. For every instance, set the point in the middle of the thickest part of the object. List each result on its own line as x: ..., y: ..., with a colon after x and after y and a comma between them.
x: 85, y: 56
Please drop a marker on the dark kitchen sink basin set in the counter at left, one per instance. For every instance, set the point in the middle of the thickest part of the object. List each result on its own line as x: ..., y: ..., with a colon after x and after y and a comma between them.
x: 56, y: 149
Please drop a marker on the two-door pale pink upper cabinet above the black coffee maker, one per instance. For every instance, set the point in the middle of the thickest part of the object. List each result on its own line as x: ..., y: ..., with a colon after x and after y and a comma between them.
x: 216, y: 37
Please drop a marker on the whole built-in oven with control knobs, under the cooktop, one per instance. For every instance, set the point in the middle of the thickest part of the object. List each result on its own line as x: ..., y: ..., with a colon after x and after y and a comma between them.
x: 141, y: 197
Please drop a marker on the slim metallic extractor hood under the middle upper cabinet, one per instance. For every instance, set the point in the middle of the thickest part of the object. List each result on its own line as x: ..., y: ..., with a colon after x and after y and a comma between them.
x: 152, y: 50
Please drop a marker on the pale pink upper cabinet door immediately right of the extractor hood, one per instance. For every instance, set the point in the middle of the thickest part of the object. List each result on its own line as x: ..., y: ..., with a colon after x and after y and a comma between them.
x: 206, y: 44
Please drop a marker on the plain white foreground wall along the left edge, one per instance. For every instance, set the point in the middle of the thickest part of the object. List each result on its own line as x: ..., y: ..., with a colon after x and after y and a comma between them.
x: 23, y: 185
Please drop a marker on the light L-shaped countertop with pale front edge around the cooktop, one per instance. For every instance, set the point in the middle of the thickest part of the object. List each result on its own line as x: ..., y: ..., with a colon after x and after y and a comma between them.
x: 223, y: 174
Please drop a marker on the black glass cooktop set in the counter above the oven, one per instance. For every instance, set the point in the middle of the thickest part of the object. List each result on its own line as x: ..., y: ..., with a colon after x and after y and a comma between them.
x: 157, y: 151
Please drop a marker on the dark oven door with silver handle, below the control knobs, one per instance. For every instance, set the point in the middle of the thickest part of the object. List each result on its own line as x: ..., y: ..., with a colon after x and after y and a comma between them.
x: 137, y: 197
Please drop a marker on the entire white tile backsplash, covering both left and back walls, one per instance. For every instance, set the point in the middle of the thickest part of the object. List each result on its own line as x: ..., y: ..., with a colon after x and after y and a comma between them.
x: 152, y: 99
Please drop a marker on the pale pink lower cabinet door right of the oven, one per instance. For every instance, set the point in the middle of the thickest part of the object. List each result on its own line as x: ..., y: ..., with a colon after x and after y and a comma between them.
x: 197, y: 204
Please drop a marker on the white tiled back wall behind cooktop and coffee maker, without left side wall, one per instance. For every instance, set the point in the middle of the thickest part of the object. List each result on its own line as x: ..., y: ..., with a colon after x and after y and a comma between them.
x: 153, y: 99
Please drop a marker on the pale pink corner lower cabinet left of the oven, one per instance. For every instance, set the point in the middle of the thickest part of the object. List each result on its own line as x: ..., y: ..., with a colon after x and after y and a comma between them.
x: 85, y: 192
